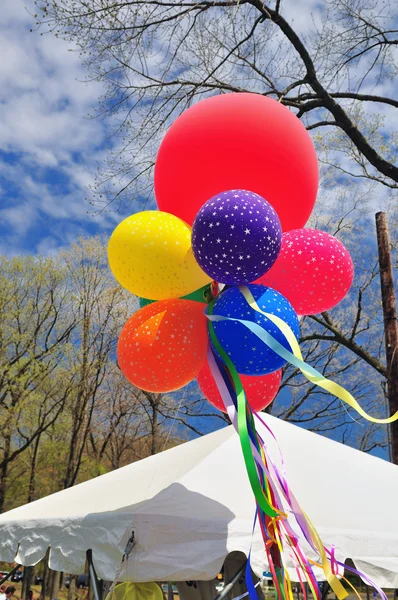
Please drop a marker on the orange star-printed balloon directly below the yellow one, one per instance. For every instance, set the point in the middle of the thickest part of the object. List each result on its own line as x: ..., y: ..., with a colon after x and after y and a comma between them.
x: 162, y: 347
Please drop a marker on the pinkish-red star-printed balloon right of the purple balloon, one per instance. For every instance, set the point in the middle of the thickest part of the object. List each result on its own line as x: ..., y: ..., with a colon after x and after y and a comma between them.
x: 314, y: 271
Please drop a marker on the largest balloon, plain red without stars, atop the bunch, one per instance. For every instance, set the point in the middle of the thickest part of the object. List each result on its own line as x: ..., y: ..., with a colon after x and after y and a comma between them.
x: 237, y: 141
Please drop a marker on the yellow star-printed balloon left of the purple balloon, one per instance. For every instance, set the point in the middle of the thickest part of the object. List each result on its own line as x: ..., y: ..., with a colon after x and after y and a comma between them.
x: 150, y: 254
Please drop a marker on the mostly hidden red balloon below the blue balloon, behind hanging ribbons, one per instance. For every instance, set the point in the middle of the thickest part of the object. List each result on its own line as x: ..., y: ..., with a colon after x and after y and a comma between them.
x: 260, y: 389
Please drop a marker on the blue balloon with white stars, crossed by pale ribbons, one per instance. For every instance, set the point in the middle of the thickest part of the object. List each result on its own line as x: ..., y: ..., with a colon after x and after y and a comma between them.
x: 248, y: 353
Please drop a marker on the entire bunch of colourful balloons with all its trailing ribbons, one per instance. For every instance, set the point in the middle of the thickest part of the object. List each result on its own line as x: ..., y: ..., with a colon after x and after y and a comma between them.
x: 220, y: 302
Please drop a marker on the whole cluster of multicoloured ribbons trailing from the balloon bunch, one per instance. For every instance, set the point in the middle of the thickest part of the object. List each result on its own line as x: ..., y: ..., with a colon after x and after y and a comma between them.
x: 307, y: 528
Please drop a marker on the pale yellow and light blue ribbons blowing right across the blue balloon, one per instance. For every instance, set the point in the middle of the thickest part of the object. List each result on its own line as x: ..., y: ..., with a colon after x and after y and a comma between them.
x: 295, y: 357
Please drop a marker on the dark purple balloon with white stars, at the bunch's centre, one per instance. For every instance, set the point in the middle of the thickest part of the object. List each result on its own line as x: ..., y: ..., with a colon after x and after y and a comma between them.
x: 236, y: 237
